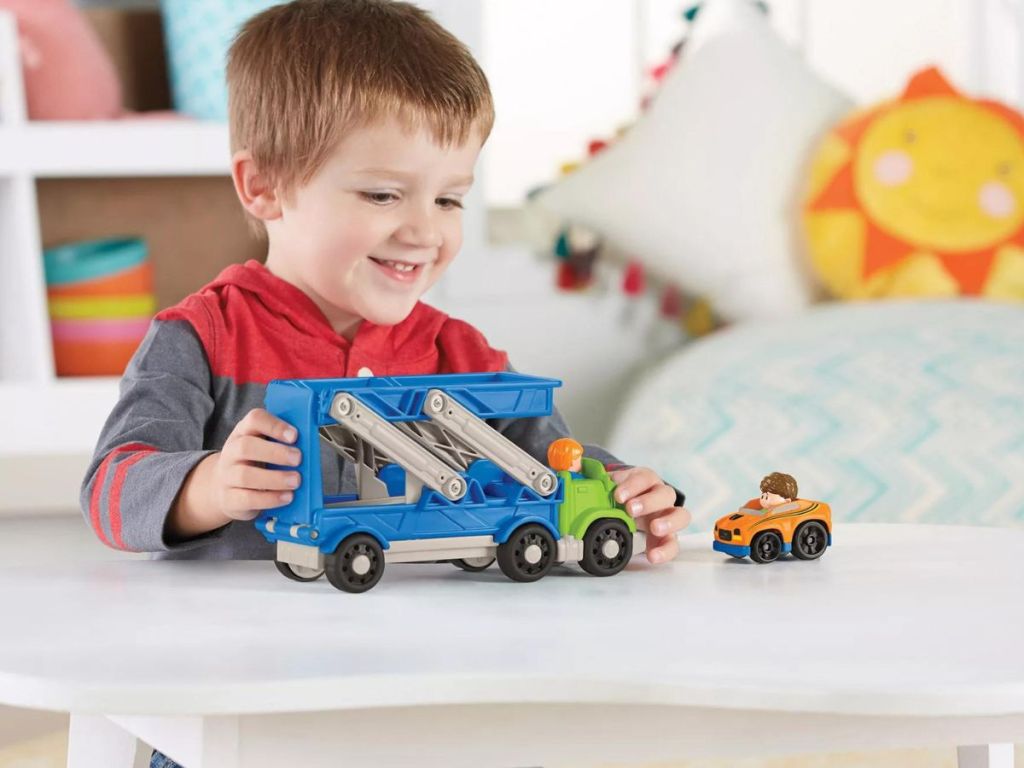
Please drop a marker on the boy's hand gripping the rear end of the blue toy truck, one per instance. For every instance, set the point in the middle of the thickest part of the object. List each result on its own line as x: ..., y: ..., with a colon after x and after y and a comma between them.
x: 241, y: 487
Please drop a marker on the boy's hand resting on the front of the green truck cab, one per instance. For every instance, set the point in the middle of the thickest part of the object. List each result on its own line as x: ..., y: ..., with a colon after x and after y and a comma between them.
x: 651, y: 501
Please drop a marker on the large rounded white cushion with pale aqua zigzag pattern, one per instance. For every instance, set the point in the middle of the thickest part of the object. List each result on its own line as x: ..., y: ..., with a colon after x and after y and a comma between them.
x: 890, y: 411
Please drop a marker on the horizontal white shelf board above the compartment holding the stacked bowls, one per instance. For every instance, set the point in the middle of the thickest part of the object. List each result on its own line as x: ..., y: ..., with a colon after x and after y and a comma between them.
x: 124, y: 148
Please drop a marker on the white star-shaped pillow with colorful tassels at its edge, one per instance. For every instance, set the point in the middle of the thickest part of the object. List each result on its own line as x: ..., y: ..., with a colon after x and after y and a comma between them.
x: 705, y: 188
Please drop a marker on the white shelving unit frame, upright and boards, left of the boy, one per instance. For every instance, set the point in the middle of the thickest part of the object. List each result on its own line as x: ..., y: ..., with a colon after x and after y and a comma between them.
x: 45, y: 415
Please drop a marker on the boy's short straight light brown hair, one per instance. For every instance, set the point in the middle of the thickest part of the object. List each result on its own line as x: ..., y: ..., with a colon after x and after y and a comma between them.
x: 302, y: 74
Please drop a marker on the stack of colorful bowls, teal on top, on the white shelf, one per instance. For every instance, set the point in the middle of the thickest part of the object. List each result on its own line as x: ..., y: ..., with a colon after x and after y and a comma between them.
x: 102, y: 302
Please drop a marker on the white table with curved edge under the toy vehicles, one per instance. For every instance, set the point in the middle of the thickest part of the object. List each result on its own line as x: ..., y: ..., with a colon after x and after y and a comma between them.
x: 900, y: 636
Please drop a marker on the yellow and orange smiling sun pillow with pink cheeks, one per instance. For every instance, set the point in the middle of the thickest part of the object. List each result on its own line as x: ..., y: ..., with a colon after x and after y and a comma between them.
x: 923, y: 196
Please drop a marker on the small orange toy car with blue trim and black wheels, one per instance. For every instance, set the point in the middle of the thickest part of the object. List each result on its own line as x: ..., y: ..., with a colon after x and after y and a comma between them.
x: 801, y: 527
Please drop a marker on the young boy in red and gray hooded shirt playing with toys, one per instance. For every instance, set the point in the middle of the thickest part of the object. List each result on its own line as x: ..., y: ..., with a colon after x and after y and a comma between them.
x: 356, y: 127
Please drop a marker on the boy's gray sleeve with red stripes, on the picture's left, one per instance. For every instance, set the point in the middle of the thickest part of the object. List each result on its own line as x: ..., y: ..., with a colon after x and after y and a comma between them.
x: 151, y: 442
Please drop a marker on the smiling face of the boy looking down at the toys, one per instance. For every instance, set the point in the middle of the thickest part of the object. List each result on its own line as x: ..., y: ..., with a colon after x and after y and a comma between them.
x: 376, y: 227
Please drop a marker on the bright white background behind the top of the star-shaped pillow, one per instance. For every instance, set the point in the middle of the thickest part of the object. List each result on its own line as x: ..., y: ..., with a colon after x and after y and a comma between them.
x: 569, y: 71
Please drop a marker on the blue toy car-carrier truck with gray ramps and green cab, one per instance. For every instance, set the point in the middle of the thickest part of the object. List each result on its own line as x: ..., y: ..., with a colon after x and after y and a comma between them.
x: 436, y: 483
